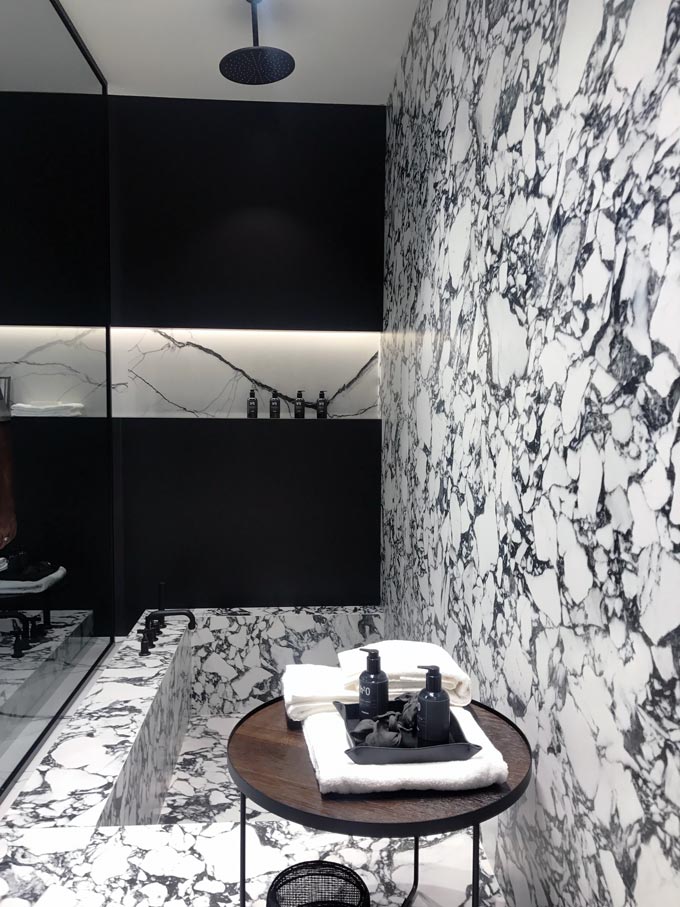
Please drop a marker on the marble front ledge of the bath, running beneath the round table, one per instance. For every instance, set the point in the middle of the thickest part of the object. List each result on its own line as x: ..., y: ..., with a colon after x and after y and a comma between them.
x: 197, y: 865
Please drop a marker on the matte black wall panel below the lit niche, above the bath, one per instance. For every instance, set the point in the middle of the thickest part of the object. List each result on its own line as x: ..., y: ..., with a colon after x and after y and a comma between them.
x: 232, y: 512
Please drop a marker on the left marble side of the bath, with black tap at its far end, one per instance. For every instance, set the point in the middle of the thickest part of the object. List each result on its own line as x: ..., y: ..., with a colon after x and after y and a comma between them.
x: 112, y: 759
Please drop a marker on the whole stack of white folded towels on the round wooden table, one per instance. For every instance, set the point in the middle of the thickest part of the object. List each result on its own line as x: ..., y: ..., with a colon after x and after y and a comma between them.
x: 310, y: 690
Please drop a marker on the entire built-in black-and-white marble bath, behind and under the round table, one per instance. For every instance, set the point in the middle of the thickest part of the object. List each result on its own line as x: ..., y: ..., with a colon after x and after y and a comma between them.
x: 53, y: 855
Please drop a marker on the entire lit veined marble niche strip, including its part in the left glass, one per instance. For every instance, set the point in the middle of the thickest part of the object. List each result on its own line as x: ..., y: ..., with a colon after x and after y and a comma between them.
x: 167, y: 373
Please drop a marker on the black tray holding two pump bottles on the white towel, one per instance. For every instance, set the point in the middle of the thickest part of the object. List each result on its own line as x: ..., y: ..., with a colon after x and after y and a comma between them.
x: 456, y: 750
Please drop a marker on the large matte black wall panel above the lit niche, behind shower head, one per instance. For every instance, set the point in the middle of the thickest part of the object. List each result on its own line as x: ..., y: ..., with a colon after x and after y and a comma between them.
x: 247, y: 215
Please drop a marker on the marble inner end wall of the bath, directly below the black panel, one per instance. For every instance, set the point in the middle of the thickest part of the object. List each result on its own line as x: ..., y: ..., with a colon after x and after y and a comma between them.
x: 240, y: 654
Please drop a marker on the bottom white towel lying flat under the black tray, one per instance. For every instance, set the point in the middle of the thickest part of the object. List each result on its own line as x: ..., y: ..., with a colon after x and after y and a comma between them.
x: 326, y: 739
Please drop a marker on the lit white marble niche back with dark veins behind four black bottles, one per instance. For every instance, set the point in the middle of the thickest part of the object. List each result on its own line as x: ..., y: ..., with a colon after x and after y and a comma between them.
x: 209, y: 373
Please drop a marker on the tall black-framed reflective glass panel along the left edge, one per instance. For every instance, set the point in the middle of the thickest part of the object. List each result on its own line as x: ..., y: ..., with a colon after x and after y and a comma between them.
x: 55, y: 517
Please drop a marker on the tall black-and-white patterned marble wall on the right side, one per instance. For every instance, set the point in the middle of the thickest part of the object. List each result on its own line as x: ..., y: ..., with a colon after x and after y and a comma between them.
x: 529, y: 392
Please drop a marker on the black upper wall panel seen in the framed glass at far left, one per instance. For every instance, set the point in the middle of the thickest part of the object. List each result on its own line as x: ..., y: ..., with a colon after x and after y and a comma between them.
x: 53, y: 223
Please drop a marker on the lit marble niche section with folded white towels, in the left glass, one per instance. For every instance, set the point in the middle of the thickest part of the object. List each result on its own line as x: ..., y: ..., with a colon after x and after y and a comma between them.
x: 55, y: 365
